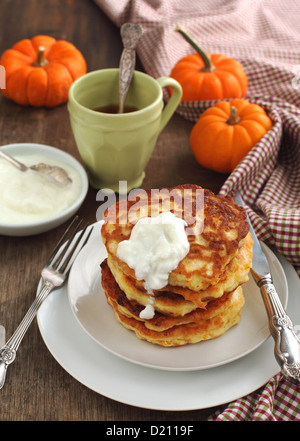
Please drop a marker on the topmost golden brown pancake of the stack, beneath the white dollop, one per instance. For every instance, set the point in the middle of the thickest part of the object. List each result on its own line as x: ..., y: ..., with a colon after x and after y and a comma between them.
x: 224, y: 231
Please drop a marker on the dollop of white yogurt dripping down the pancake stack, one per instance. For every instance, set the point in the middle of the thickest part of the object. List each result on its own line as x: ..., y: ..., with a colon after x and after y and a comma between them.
x: 154, y: 249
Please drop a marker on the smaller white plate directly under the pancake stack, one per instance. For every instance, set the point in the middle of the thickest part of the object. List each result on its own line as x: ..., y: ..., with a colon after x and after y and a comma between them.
x: 89, y: 305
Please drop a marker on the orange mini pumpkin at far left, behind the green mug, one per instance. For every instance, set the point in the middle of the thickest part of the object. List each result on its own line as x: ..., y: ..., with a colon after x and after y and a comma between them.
x: 40, y: 71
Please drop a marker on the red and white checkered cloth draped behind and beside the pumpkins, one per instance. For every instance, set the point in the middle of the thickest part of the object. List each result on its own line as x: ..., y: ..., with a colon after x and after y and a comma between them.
x: 265, y: 37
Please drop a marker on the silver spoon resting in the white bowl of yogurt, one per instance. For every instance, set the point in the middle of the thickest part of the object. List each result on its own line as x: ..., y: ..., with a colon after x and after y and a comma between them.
x: 56, y: 174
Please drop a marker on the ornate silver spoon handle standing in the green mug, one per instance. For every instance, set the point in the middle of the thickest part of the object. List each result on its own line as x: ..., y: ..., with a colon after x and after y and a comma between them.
x: 130, y: 34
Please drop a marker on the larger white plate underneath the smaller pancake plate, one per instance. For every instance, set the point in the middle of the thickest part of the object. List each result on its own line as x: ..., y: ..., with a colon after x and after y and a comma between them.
x: 130, y: 383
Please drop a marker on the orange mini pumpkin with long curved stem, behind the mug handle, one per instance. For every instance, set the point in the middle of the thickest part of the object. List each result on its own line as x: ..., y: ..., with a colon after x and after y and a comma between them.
x: 209, y: 77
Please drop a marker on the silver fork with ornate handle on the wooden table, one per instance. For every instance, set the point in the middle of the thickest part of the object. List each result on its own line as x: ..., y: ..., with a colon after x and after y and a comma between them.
x: 54, y: 274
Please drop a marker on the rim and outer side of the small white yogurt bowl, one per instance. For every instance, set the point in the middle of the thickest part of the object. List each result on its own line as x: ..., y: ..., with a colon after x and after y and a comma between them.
x: 40, y: 226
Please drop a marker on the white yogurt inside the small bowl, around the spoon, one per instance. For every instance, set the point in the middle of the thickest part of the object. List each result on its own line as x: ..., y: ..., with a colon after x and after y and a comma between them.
x: 28, y: 196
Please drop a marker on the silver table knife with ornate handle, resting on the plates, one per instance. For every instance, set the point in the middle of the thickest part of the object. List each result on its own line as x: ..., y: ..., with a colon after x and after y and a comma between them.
x: 287, y: 344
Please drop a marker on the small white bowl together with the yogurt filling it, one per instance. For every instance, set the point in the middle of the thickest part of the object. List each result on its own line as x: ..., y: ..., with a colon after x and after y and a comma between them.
x: 31, y: 203
